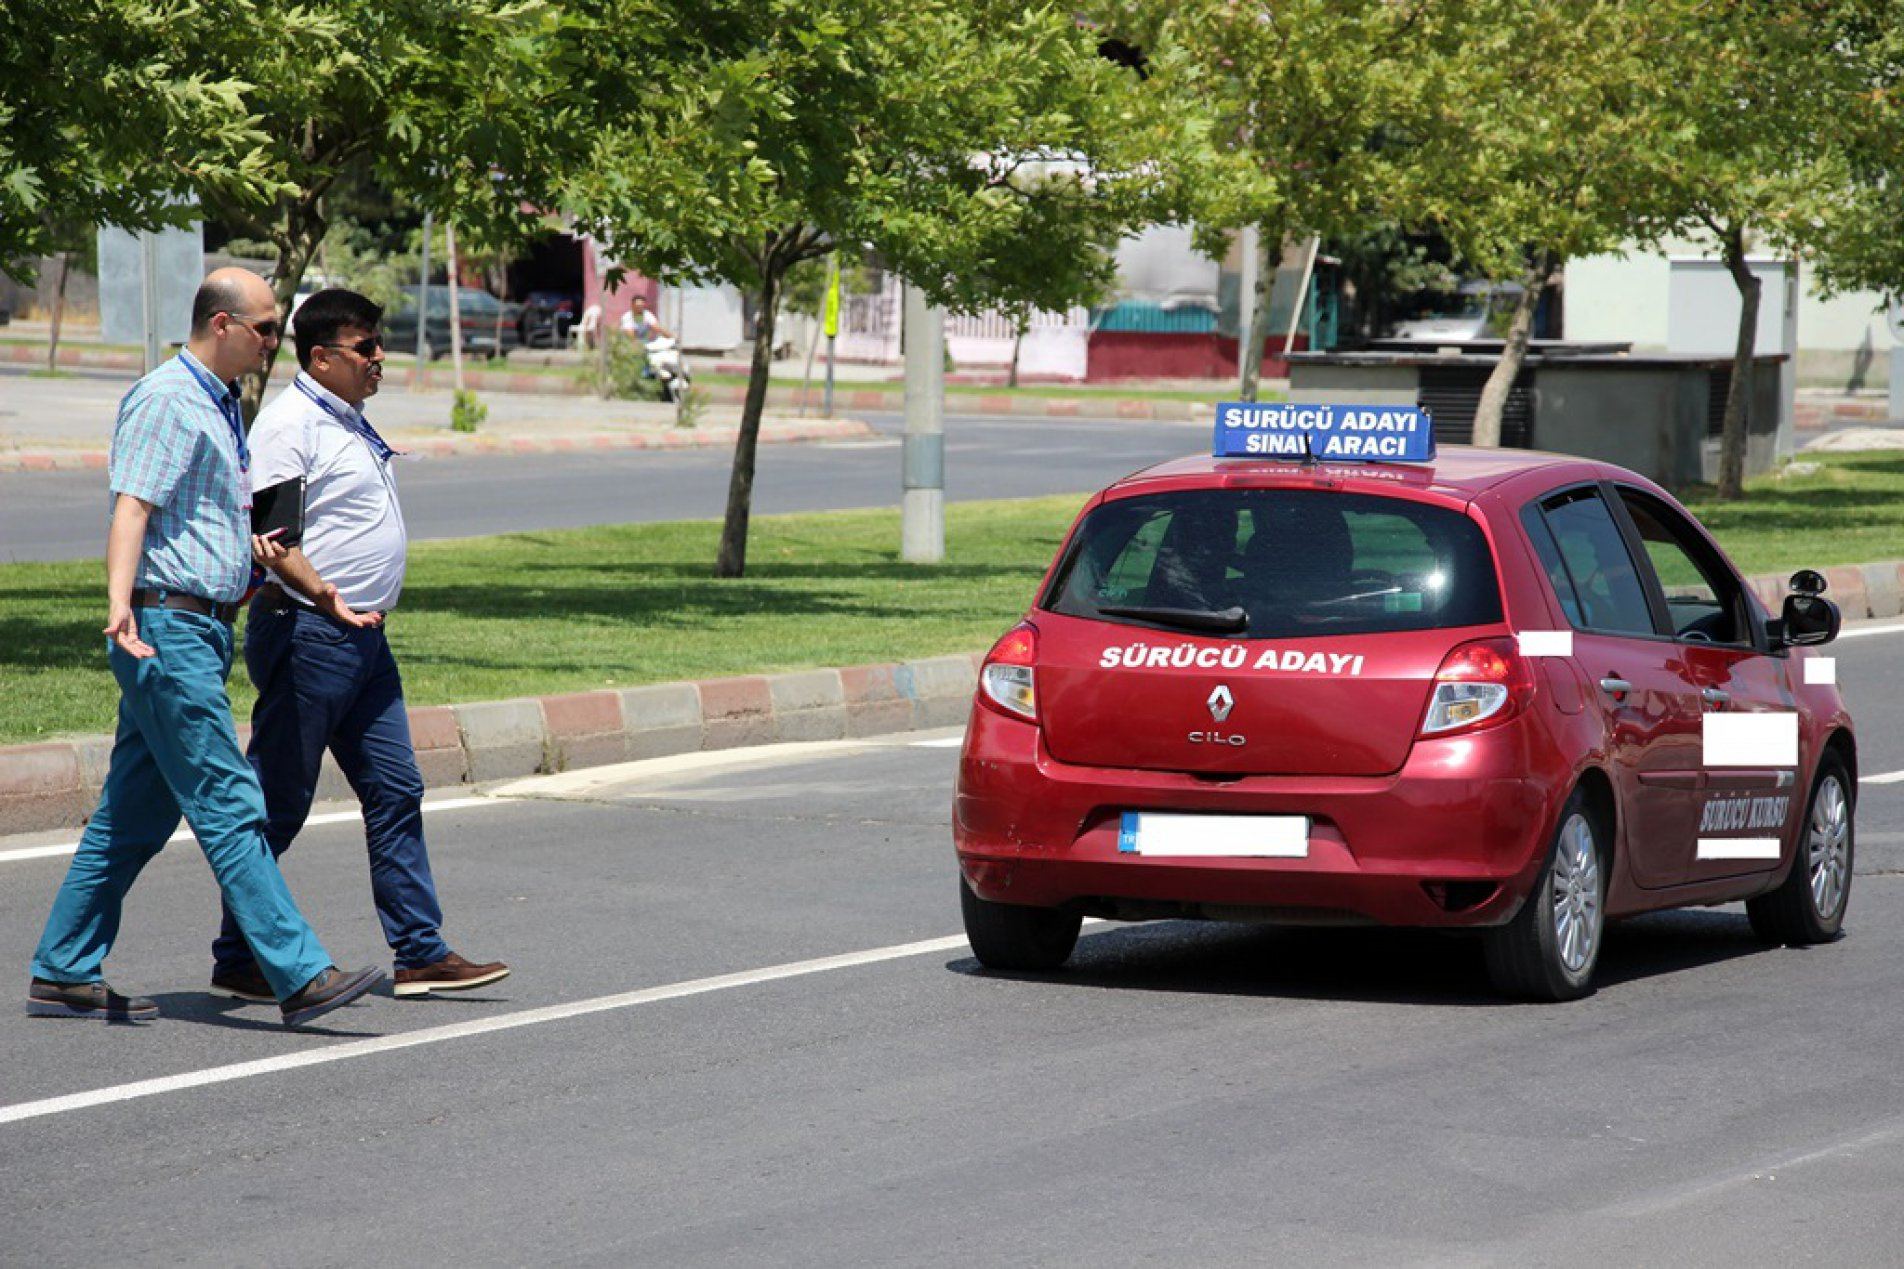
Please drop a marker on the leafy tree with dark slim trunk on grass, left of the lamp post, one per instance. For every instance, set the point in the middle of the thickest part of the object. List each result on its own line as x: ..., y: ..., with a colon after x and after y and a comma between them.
x: 983, y: 150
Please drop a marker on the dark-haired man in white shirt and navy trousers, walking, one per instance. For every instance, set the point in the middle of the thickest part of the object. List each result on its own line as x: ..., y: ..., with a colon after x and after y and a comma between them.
x: 317, y: 649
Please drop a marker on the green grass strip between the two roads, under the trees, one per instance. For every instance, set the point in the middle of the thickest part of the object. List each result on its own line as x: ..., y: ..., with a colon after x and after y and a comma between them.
x: 570, y: 611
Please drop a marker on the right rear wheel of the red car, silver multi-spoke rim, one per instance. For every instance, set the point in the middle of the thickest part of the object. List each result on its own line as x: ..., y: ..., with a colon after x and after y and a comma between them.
x: 1551, y: 948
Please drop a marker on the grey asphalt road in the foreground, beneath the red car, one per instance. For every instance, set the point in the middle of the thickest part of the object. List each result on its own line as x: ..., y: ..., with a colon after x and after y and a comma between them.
x: 671, y: 1078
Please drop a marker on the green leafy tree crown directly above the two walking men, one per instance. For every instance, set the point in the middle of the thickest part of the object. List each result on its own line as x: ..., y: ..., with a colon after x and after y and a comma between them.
x: 473, y: 110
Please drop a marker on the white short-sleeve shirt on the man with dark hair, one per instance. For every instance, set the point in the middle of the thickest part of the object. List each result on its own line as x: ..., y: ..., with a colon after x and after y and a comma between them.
x: 353, y: 523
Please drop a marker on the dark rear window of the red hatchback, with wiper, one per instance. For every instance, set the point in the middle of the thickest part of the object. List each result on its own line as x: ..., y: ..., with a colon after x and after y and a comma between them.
x: 1296, y: 561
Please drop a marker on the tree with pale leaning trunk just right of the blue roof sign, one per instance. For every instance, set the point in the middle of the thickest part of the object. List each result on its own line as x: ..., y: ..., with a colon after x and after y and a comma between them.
x: 1549, y: 151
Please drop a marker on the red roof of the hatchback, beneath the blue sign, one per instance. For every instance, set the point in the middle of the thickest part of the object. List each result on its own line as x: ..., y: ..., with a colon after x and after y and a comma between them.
x: 1458, y: 473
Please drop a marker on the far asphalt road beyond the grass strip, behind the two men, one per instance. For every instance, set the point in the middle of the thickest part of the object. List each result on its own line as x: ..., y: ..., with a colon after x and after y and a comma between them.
x: 64, y: 515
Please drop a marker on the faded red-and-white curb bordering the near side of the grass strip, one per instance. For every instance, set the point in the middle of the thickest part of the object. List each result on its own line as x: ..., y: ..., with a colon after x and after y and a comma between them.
x: 56, y: 786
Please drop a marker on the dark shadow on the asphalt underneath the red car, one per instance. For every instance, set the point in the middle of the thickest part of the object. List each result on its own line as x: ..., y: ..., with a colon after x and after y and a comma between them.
x: 1397, y: 967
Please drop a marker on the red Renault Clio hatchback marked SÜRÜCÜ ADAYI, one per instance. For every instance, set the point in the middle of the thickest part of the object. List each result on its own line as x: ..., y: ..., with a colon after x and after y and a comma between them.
x: 1505, y: 691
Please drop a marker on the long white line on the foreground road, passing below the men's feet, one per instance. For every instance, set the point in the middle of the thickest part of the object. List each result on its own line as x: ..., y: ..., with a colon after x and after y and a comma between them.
x: 462, y: 1032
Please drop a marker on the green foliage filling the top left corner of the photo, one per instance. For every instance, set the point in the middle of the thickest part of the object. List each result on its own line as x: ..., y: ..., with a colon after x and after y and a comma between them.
x: 108, y: 119
